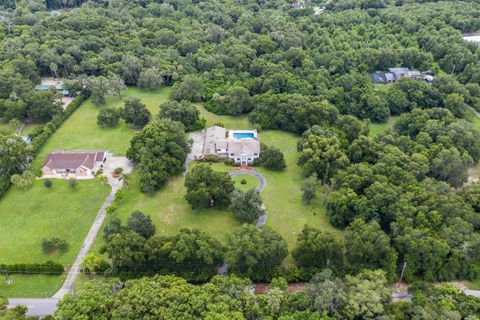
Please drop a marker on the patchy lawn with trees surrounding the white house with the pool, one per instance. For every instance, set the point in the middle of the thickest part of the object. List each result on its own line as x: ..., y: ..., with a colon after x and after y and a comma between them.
x: 282, y: 196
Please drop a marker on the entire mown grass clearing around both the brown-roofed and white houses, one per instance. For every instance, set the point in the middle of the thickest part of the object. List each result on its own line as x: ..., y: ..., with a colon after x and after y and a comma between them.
x: 168, y: 208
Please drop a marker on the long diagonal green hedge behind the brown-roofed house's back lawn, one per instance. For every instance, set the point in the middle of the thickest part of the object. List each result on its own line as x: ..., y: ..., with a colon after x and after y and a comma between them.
x: 41, y: 135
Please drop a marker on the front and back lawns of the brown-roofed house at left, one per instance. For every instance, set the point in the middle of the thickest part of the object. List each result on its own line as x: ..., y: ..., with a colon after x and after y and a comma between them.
x: 26, y: 217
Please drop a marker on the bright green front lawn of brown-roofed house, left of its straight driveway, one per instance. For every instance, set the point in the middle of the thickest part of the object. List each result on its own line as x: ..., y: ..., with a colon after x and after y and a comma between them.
x: 29, y: 216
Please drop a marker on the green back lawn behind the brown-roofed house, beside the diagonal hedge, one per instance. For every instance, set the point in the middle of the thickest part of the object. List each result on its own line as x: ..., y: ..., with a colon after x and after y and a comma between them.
x: 81, y: 131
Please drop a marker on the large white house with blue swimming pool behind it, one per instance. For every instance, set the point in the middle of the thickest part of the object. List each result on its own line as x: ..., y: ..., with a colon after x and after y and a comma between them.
x: 242, y: 146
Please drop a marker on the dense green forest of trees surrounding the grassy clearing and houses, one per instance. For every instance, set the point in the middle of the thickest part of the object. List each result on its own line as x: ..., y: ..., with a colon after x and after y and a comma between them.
x: 399, y: 197
